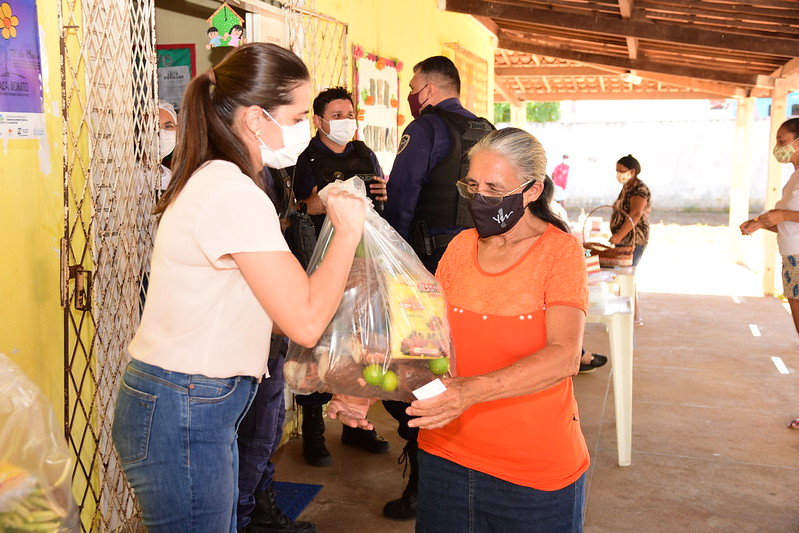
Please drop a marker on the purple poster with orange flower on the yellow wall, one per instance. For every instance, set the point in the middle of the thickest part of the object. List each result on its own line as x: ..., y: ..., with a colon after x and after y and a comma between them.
x: 21, y: 111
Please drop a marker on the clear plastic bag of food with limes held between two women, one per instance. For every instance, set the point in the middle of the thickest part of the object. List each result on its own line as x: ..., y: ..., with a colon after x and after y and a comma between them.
x: 390, y: 334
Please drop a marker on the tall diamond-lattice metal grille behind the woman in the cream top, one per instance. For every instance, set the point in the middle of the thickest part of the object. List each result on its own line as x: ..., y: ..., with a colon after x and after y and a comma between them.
x: 108, y: 64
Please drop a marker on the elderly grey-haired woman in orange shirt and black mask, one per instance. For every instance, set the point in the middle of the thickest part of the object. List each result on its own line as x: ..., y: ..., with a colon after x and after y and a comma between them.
x: 501, y: 449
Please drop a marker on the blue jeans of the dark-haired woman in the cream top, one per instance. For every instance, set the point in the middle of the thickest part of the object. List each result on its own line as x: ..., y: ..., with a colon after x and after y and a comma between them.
x: 175, y: 435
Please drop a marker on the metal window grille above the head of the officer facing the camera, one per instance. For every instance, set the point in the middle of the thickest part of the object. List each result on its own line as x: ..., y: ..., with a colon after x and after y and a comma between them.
x: 321, y: 42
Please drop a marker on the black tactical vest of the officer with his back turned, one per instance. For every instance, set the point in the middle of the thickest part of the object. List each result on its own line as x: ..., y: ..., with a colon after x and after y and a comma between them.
x: 440, y: 205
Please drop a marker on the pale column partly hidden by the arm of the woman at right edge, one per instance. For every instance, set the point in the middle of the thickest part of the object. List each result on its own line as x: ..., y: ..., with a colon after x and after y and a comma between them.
x: 771, y: 264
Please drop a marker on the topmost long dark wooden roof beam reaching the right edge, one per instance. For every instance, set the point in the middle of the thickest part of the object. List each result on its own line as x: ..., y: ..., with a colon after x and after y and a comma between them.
x: 643, y: 29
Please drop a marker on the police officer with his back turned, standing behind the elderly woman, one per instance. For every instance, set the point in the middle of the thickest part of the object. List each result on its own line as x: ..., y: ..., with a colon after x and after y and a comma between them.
x: 423, y: 203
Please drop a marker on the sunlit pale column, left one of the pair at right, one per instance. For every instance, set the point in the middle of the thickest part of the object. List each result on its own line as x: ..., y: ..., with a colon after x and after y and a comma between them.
x: 739, y: 188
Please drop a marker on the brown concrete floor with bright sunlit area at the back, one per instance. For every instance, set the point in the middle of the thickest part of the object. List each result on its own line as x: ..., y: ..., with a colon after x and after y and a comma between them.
x: 710, y: 452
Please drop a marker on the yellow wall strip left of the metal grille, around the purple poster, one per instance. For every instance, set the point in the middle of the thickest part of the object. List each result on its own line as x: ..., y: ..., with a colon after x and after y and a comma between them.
x: 31, y: 225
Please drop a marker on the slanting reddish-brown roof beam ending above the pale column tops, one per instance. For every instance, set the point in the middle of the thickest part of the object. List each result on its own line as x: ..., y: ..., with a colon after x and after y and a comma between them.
x: 733, y: 77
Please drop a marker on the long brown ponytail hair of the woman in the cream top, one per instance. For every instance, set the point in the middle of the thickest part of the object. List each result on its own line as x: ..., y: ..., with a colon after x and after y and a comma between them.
x: 261, y: 74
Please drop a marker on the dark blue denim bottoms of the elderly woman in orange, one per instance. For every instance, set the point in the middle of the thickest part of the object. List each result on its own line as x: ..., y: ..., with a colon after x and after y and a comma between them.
x: 455, y: 498
